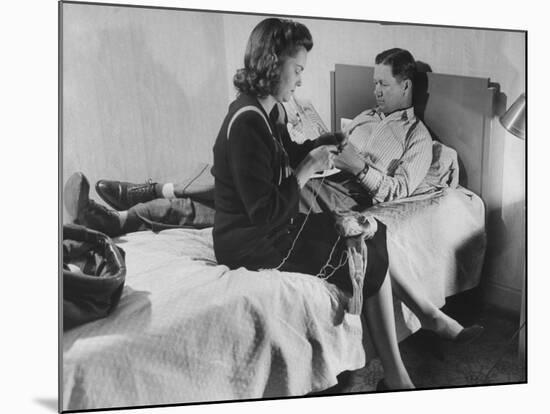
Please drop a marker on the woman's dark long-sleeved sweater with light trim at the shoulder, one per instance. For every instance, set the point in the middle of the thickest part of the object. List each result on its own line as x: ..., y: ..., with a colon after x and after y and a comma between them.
x: 256, y: 192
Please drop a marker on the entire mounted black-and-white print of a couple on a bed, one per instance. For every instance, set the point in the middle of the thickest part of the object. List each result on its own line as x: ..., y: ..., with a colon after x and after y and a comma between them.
x: 262, y: 207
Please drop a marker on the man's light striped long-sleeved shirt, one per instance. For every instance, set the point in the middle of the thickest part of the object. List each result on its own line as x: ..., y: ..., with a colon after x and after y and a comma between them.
x: 397, y: 149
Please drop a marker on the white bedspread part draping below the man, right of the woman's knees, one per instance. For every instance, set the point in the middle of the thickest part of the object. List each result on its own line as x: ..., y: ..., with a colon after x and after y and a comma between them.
x: 438, y: 239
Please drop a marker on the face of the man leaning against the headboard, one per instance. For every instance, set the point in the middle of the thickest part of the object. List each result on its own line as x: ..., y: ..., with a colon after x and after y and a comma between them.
x: 390, y: 93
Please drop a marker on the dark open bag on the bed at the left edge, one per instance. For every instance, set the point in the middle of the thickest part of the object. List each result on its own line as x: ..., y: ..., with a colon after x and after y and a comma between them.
x: 93, y: 275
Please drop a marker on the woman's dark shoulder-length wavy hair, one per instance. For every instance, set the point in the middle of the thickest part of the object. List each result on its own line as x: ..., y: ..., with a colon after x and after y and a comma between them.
x: 271, y: 41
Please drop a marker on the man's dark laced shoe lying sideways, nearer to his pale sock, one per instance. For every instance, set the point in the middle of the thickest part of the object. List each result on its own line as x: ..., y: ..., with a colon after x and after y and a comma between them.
x: 121, y: 195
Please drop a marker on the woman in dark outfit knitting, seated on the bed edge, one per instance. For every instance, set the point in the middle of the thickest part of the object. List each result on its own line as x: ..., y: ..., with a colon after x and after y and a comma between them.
x: 258, y: 181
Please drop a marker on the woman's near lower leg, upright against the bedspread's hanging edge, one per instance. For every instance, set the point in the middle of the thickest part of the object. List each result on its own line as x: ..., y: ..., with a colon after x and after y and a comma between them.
x: 381, y: 326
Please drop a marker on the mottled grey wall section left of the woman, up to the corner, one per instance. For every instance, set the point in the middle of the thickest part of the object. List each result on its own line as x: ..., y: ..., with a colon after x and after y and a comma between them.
x: 144, y: 91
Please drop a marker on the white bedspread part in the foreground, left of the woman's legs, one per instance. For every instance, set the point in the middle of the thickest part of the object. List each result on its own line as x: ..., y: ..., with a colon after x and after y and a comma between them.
x: 189, y: 330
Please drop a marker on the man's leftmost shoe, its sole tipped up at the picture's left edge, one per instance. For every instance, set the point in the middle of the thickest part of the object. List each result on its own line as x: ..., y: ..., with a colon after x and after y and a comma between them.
x: 87, y: 212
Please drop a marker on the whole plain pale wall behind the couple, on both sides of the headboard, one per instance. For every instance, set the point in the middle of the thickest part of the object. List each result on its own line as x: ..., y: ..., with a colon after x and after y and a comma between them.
x: 145, y: 92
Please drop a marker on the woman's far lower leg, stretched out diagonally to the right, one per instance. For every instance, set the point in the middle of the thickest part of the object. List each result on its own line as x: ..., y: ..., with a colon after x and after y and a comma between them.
x: 414, y: 296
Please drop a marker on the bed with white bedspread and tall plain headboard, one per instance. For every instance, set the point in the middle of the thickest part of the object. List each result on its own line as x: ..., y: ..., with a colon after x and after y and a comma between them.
x: 189, y: 330
